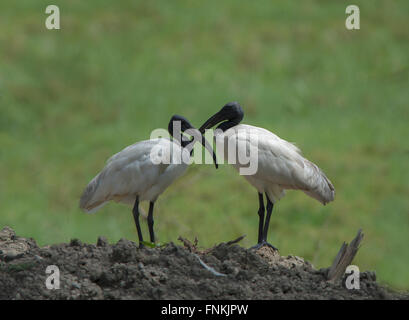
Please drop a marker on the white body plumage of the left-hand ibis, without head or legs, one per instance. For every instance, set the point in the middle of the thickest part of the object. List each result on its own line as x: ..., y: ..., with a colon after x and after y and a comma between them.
x: 131, y: 173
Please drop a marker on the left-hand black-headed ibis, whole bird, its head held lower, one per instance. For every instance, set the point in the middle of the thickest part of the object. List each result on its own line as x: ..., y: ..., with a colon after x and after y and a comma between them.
x: 133, y: 174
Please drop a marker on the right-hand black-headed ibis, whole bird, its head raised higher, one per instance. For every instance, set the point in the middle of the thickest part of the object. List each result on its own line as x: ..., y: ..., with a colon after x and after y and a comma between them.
x: 279, y: 163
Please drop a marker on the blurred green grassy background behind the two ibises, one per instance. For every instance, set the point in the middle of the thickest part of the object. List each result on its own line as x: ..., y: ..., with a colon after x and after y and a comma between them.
x: 71, y: 98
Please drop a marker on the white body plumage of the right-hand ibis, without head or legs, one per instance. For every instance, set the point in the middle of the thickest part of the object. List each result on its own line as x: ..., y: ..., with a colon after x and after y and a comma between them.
x: 280, y: 164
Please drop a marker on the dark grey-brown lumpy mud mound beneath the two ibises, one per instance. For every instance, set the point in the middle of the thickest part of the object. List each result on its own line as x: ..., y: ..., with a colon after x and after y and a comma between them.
x: 122, y: 271
